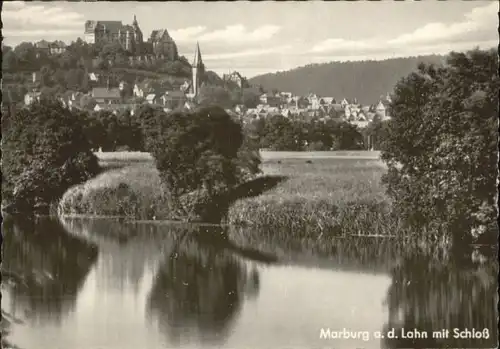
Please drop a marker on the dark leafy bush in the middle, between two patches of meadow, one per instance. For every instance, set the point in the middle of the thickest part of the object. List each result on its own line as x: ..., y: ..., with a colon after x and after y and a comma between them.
x: 197, y: 156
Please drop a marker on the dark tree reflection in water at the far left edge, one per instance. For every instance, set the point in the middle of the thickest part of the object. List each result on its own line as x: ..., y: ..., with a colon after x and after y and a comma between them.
x: 51, y: 263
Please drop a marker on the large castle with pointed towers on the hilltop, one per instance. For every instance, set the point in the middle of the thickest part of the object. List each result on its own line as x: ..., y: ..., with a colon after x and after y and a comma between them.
x: 130, y: 37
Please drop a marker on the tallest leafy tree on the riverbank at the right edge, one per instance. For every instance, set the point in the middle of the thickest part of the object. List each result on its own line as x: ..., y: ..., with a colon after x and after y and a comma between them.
x: 441, y: 146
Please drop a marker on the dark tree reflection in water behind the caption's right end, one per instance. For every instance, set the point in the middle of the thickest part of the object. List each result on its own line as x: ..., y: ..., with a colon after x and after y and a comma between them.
x: 430, y: 295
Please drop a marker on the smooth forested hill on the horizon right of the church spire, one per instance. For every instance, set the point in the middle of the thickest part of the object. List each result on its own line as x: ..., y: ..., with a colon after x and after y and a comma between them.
x: 364, y: 80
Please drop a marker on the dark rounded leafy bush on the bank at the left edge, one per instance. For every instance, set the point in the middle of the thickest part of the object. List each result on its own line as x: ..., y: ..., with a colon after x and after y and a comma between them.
x: 44, y: 153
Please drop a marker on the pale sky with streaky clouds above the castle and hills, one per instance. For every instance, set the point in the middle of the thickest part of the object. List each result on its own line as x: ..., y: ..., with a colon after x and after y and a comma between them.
x: 262, y: 37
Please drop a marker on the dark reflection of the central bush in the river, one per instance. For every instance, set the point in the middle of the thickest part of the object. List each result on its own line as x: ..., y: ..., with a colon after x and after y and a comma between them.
x: 200, y: 287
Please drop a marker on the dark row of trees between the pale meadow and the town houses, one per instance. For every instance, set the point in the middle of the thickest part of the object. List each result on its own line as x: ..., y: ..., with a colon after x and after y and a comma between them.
x: 124, y: 131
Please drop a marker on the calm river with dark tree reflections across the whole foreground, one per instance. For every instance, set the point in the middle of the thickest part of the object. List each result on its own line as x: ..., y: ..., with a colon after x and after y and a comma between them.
x: 102, y: 283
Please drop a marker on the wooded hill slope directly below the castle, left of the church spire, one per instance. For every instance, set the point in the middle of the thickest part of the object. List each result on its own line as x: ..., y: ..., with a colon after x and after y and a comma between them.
x: 57, y: 73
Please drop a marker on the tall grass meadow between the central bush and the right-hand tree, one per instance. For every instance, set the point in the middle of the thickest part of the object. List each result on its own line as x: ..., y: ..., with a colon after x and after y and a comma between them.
x: 327, y: 196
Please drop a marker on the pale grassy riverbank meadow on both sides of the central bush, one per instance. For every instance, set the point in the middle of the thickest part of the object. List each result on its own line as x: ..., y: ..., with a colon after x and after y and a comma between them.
x: 327, y: 194
